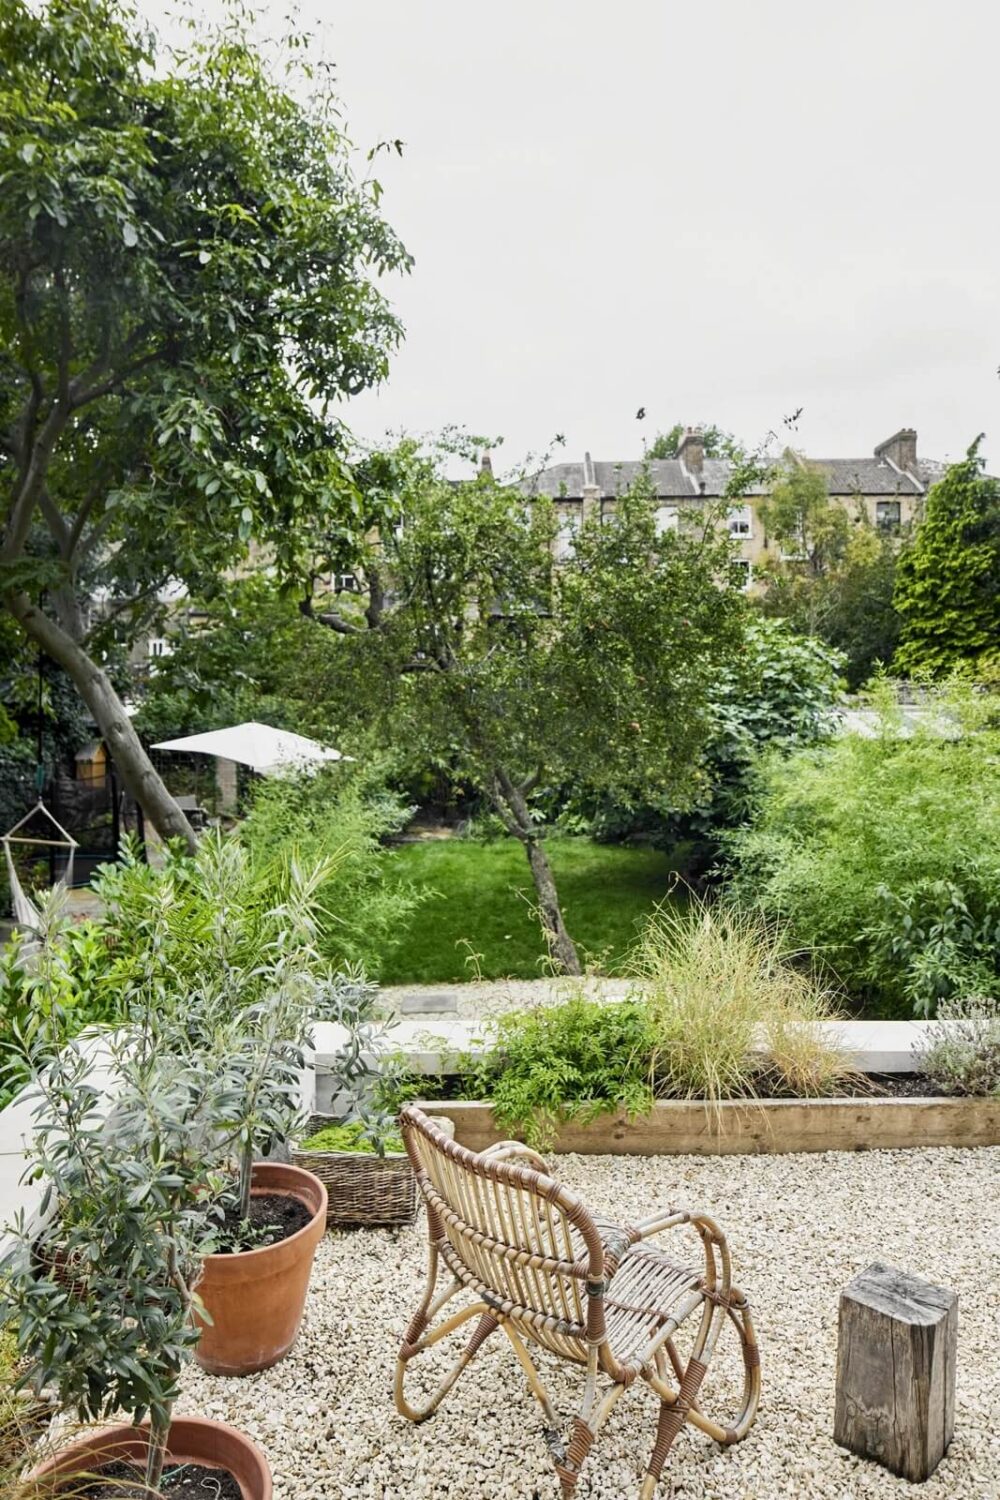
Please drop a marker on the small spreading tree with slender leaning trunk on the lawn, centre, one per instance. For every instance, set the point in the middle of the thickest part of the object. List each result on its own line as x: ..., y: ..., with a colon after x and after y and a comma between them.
x: 521, y: 673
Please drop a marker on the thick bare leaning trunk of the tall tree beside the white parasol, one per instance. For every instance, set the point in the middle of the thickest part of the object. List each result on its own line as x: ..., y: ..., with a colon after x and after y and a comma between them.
x: 112, y: 719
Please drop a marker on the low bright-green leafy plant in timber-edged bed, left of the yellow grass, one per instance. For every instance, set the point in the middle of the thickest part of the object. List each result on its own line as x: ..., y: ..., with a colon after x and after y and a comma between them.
x: 570, y: 1061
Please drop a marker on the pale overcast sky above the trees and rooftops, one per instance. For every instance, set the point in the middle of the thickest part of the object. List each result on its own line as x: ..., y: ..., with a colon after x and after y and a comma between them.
x: 716, y: 211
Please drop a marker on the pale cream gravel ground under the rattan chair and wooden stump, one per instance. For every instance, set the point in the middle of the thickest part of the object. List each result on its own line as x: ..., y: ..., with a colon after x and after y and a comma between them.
x: 800, y: 1228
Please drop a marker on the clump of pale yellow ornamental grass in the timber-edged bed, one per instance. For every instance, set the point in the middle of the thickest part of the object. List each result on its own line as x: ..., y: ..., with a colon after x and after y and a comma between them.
x: 729, y: 1013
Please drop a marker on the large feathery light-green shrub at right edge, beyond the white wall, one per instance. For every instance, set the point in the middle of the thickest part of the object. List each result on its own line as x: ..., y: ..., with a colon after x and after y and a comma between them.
x: 882, y: 857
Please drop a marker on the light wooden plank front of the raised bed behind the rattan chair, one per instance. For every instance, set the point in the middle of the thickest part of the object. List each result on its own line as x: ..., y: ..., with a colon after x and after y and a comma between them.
x: 771, y: 1127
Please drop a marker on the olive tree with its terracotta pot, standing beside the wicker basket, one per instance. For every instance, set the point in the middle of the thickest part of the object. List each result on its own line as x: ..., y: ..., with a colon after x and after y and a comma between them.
x: 226, y: 979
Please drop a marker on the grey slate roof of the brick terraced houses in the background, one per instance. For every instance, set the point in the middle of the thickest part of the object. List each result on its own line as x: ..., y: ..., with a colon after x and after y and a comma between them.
x: 672, y: 481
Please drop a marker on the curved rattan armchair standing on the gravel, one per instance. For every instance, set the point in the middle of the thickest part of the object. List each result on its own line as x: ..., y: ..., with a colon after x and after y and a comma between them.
x: 546, y: 1273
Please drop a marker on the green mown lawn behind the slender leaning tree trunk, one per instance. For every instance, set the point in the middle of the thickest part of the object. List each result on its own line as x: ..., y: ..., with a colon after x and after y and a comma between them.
x: 484, y: 905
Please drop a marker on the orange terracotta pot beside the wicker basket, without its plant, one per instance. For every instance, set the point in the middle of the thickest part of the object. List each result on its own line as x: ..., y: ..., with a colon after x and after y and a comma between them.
x: 256, y: 1300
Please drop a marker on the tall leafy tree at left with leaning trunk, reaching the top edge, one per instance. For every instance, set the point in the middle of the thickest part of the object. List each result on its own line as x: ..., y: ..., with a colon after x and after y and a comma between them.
x: 188, y: 280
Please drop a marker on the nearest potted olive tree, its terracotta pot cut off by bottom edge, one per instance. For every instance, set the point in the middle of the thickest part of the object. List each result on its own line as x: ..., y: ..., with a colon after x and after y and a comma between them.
x: 106, y: 1304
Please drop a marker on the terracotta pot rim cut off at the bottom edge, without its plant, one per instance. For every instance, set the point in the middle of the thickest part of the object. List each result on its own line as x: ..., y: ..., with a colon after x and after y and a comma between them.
x: 193, y: 1441
